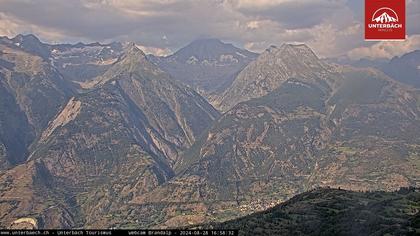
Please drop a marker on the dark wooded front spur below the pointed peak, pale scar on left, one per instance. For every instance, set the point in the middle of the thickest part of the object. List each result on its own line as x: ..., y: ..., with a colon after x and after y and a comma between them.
x: 100, y: 147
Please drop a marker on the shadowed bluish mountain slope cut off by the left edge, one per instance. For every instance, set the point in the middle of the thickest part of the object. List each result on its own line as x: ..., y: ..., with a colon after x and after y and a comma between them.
x: 32, y: 92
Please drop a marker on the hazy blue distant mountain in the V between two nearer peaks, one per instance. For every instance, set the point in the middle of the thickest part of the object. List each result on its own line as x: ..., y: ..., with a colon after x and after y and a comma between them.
x: 207, y: 65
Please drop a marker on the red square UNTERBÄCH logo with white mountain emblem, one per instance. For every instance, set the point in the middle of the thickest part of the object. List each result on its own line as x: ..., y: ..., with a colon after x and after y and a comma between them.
x: 384, y: 19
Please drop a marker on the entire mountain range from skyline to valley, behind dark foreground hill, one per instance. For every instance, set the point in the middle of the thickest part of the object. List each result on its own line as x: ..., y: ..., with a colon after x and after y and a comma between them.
x: 105, y: 136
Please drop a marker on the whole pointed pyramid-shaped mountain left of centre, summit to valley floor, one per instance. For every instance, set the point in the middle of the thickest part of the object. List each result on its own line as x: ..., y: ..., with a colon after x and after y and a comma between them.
x: 117, y: 139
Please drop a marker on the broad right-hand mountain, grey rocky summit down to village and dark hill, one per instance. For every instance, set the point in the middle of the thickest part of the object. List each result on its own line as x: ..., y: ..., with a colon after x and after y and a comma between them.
x: 313, y: 125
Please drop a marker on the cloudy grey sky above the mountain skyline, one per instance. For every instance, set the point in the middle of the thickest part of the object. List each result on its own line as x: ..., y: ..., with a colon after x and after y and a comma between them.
x: 330, y: 27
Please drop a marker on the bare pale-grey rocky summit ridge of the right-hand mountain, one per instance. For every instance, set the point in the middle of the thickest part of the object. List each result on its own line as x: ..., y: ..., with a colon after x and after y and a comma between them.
x: 274, y: 66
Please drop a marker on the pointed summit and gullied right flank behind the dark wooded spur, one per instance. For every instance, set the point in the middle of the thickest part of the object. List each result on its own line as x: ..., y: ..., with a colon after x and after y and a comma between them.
x: 176, y: 115
